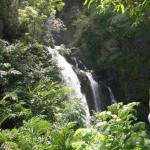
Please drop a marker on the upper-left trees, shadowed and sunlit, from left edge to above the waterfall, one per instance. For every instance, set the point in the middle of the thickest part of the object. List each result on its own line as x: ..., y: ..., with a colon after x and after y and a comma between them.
x: 26, y: 20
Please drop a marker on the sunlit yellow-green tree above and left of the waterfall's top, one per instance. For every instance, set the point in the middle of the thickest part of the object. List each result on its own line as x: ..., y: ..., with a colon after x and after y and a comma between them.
x: 33, y: 18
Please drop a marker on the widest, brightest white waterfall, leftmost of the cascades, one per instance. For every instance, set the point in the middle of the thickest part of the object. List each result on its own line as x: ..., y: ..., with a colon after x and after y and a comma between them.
x: 70, y: 79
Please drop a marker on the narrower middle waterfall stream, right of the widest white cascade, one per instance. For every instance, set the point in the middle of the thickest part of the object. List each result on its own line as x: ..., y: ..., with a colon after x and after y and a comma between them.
x: 95, y: 91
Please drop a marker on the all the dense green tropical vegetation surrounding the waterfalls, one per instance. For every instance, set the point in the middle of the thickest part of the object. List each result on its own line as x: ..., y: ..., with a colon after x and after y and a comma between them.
x: 35, y: 112
